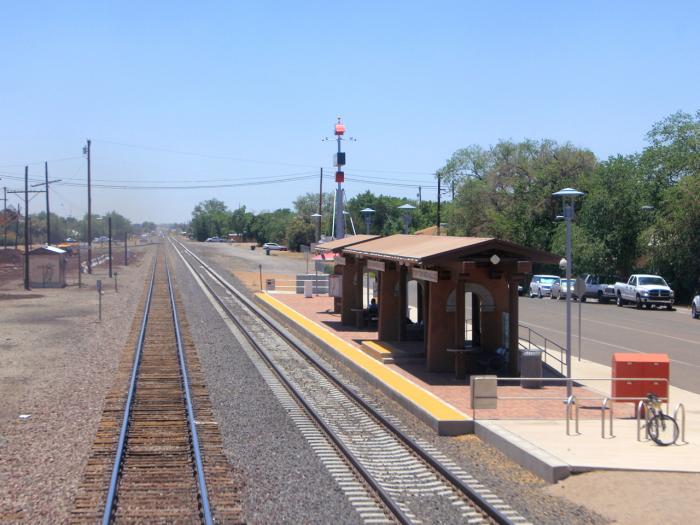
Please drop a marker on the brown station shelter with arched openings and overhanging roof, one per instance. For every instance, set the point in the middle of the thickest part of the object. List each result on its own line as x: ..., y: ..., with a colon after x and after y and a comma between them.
x: 452, y: 294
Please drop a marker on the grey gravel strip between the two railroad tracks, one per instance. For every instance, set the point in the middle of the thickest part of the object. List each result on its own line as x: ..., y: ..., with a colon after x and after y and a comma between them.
x: 284, y: 481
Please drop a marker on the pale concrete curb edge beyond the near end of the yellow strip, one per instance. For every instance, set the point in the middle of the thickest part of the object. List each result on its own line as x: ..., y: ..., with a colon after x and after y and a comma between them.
x: 539, y: 462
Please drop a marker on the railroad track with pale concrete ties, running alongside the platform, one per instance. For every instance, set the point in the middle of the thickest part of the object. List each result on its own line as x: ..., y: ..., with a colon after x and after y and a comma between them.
x: 397, y: 478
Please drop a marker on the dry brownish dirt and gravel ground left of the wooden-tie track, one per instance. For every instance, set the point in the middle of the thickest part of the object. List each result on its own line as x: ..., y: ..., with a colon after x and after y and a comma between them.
x: 56, y: 364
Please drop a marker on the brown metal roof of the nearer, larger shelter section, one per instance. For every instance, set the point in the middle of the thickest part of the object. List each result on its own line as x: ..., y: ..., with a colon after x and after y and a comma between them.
x: 417, y: 249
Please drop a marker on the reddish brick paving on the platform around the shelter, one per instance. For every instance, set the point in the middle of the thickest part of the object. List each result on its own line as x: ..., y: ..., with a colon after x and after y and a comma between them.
x: 457, y: 392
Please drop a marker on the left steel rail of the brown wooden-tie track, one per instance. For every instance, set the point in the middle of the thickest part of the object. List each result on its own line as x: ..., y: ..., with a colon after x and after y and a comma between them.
x: 119, y: 456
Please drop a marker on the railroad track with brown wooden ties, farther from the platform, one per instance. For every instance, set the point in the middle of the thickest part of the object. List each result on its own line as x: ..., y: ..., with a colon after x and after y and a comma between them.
x: 158, y: 454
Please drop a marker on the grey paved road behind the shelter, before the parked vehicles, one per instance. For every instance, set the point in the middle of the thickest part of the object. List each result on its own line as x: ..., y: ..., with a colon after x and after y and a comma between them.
x: 606, y: 329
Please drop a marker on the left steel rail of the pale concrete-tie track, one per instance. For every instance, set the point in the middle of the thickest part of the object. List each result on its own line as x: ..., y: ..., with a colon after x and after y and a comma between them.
x: 282, y: 376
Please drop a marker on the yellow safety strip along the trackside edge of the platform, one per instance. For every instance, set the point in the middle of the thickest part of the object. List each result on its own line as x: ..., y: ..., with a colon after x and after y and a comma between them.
x: 429, y: 402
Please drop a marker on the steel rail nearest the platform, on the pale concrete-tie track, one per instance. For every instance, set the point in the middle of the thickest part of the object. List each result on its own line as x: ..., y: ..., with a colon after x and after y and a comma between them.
x: 493, y: 512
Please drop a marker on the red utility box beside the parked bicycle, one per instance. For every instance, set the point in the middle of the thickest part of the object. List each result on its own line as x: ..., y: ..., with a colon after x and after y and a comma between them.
x: 652, y: 366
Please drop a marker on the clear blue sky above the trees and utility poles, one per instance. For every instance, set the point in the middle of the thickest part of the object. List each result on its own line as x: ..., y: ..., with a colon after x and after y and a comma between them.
x: 207, y: 93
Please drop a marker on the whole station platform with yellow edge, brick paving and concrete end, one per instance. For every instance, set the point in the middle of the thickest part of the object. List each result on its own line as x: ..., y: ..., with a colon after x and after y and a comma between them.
x: 527, y: 428
